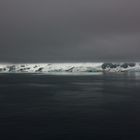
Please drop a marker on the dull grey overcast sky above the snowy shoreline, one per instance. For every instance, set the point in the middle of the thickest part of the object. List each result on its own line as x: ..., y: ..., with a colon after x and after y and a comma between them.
x: 69, y: 30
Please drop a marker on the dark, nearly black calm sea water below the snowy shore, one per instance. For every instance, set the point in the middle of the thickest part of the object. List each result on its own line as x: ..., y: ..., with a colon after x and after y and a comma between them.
x: 64, y: 107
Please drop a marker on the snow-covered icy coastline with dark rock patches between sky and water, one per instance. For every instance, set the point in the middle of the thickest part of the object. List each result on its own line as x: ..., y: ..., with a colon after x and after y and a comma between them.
x: 69, y: 67
